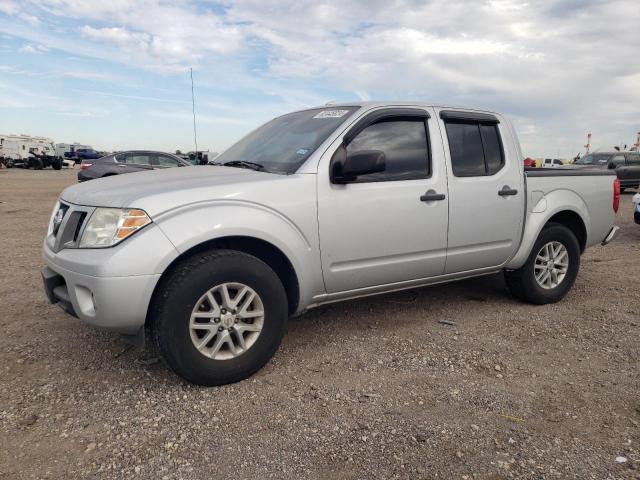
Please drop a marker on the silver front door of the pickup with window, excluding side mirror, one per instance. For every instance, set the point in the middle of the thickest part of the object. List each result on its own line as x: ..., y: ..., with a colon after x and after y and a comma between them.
x: 389, y: 226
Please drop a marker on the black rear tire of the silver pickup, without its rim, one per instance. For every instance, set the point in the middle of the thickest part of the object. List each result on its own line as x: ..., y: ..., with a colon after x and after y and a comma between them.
x: 522, y: 283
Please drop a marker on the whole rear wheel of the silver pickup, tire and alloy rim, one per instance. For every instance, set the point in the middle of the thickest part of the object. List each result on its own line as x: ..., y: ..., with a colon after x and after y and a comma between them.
x: 551, y: 269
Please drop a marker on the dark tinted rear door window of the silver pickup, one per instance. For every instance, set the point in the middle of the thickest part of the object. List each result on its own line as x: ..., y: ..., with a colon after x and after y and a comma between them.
x: 476, y: 148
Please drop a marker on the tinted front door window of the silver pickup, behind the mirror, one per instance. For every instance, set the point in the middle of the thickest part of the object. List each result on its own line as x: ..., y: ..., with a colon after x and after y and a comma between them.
x: 405, y: 145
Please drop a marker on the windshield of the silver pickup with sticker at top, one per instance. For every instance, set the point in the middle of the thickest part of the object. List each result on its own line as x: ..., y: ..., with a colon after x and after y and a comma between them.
x: 283, y: 144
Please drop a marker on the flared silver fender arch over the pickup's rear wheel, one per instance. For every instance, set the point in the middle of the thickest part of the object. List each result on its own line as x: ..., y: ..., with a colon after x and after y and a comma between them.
x: 545, y: 206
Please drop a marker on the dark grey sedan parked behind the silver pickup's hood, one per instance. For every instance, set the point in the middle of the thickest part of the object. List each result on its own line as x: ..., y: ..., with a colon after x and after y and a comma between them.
x: 128, y: 162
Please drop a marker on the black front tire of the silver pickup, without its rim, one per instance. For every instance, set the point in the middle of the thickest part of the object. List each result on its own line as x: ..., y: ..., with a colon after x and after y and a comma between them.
x: 175, y: 299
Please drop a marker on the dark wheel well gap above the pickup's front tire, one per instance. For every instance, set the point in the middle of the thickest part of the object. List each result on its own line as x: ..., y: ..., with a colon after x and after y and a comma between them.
x: 265, y: 251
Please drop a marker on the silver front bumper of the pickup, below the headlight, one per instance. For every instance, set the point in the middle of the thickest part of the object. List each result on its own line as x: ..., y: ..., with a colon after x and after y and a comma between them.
x: 109, y: 288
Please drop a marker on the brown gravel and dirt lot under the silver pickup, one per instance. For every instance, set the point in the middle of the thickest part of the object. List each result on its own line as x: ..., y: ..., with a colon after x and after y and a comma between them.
x: 374, y: 388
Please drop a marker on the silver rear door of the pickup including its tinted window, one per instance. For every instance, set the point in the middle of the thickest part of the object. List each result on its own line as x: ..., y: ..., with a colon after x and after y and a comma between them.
x: 486, y: 195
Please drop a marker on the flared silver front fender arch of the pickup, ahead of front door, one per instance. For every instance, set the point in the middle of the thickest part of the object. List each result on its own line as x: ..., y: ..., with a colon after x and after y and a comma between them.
x: 192, y: 225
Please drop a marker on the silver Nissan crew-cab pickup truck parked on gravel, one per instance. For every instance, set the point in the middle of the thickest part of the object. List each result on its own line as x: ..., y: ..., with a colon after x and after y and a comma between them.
x: 317, y: 206
